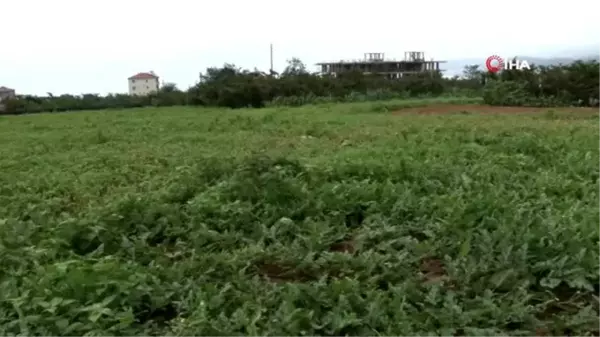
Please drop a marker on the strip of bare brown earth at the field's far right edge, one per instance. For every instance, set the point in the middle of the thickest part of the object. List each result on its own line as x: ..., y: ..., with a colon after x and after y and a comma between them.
x: 455, y: 108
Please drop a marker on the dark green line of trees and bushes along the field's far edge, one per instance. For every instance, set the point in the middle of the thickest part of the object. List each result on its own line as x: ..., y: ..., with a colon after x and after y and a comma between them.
x: 230, y: 86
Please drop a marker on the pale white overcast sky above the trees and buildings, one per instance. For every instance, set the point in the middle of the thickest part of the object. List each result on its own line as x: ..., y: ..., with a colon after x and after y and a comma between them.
x: 91, y: 46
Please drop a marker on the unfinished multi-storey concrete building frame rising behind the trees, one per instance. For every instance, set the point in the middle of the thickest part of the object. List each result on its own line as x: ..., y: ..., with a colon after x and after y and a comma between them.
x: 375, y: 63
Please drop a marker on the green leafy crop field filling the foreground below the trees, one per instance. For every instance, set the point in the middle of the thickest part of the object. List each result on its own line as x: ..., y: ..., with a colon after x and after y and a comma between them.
x: 364, y: 219
